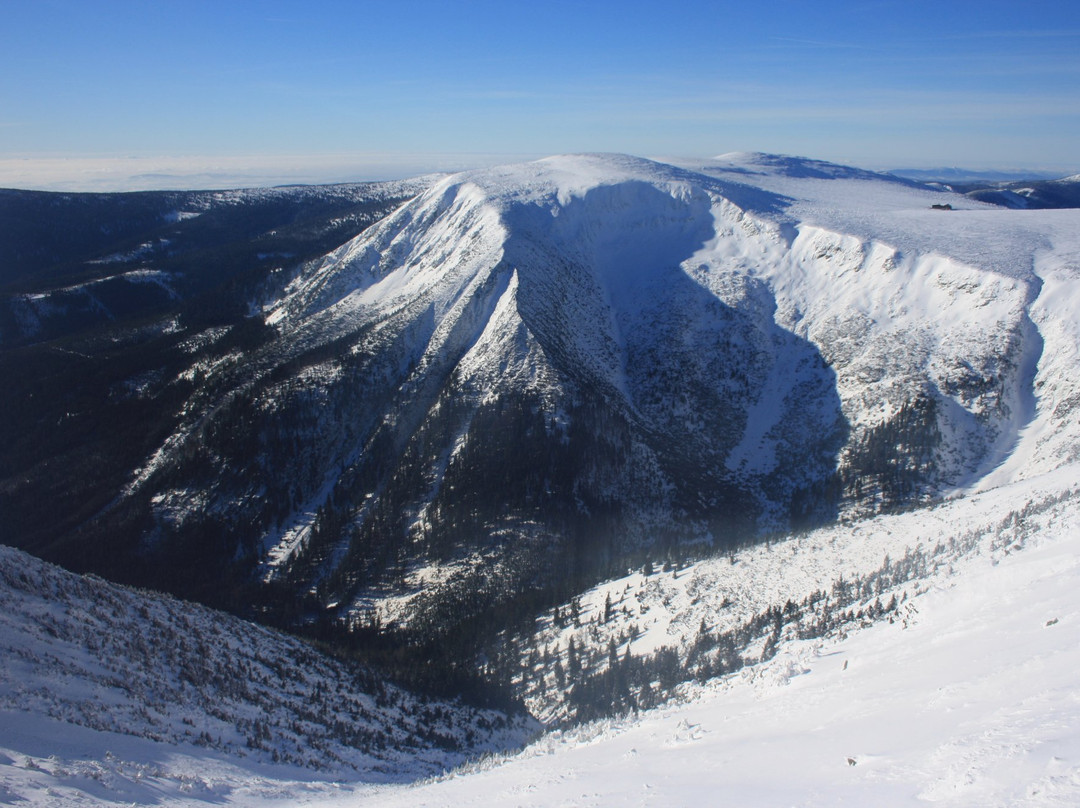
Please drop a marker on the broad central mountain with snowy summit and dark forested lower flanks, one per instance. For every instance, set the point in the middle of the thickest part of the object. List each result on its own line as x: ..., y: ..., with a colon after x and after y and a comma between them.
x: 546, y: 369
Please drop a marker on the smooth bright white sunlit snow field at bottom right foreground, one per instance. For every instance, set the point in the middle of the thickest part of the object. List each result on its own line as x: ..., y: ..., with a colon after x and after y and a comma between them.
x: 974, y: 701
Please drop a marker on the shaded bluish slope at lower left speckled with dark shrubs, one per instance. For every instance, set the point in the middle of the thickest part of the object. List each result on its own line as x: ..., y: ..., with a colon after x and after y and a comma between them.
x: 90, y: 667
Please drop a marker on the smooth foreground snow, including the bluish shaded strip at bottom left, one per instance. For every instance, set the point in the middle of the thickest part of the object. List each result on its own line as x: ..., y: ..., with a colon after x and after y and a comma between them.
x: 969, y: 697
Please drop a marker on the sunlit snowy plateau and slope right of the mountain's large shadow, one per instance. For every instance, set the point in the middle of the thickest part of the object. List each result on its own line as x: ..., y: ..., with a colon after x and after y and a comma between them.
x: 964, y: 292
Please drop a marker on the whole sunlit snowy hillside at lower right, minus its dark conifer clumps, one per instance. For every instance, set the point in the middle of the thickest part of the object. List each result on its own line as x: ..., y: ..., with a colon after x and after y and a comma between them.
x: 965, y: 695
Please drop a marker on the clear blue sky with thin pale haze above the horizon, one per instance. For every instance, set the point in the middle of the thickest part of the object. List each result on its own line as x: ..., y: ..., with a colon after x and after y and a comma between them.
x: 342, y: 90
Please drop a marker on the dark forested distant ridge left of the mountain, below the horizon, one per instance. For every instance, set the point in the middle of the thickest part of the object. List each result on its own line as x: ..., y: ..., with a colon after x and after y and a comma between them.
x: 73, y: 262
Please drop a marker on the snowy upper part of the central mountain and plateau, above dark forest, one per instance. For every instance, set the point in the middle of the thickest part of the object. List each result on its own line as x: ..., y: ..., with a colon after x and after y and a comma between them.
x: 768, y: 317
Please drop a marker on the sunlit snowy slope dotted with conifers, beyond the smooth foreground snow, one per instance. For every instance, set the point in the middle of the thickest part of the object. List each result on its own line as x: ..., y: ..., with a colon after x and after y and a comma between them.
x: 809, y: 586
